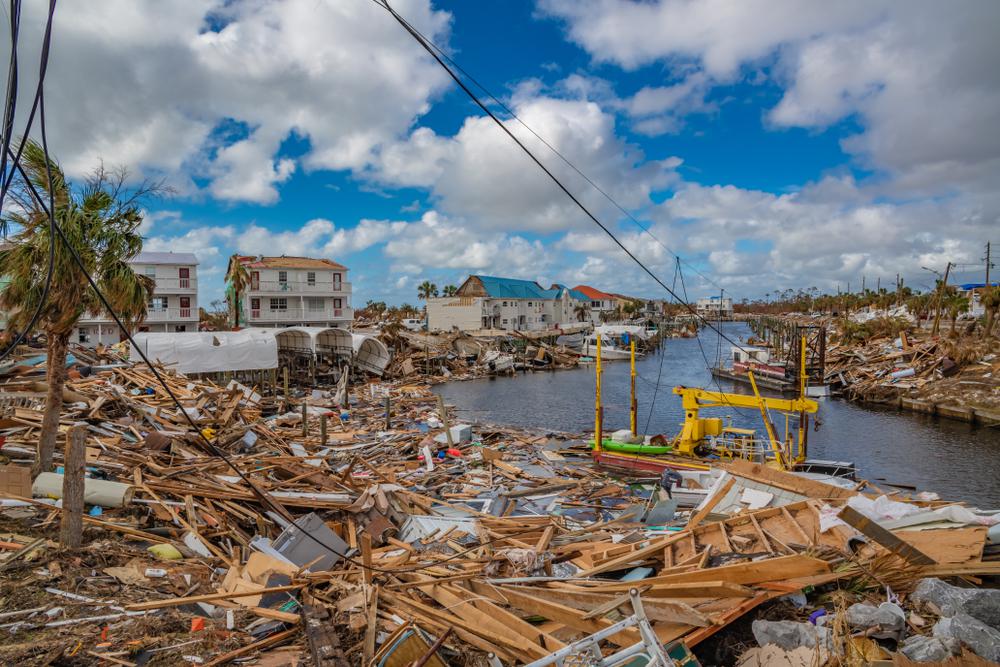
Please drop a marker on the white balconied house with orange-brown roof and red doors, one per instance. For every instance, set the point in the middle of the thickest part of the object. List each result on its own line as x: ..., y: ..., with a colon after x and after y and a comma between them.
x: 295, y: 291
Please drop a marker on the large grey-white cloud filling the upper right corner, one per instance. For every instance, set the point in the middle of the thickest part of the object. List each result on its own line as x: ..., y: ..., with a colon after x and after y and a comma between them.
x: 921, y: 77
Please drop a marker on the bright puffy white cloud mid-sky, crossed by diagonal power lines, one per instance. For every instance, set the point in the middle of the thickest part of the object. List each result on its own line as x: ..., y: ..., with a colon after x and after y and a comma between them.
x: 482, y: 177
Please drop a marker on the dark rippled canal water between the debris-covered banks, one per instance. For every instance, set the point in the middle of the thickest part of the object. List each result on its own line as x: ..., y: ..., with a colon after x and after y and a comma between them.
x: 955, y: 459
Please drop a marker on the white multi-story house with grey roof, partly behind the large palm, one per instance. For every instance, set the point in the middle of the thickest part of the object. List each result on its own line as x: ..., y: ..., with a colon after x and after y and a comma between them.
x: 172, y: 307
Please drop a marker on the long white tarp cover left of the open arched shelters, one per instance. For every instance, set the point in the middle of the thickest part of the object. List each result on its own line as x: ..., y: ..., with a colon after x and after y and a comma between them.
x: 209, y: 351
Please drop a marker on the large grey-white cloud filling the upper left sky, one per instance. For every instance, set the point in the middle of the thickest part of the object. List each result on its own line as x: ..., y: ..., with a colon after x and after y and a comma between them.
x: 144, y: 83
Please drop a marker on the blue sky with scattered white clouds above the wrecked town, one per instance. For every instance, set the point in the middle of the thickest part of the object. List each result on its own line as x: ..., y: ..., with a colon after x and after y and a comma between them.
x: 770, y: 144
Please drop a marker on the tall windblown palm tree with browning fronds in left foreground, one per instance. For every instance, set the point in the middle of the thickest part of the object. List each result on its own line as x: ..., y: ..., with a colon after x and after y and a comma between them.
x: 101, y: 222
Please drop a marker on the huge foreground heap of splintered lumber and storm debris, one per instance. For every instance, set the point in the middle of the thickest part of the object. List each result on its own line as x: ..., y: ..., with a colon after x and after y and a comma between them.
x: 340, y: 539
